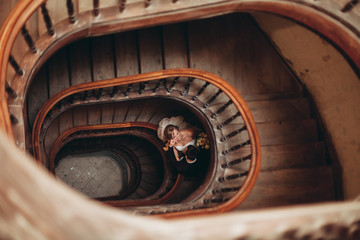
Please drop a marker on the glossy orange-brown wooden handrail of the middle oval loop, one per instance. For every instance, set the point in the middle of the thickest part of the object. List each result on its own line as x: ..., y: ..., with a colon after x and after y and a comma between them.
x: 221, y: 84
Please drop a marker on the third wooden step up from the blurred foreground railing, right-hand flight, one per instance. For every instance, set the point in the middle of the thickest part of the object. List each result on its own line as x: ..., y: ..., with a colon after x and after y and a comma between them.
x: 289, y: 132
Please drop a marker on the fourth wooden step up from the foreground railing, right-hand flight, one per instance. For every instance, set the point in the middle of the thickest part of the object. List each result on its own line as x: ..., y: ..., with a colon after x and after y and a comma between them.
x: 282, y: 109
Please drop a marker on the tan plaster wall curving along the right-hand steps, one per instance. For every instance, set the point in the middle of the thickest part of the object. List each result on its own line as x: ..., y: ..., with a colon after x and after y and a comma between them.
x: 333, y: 84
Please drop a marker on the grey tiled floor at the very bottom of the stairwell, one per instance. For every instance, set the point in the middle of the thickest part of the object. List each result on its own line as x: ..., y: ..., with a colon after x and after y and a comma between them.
x: 94, y: 175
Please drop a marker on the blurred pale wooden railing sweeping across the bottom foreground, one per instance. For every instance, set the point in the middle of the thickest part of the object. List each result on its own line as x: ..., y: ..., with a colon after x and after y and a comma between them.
x: 35, y: 206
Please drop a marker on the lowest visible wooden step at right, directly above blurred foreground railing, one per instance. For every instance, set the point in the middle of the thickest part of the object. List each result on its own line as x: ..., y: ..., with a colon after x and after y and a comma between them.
x: 291, y: 186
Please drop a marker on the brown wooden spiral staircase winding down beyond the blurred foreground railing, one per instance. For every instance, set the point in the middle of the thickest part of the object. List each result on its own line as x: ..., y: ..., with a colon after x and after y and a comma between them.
x: 95, y: 82
